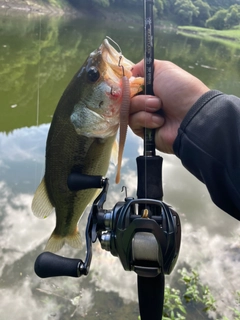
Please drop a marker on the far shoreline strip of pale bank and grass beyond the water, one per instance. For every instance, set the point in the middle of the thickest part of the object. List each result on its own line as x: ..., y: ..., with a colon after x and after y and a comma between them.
x: 36, y: 8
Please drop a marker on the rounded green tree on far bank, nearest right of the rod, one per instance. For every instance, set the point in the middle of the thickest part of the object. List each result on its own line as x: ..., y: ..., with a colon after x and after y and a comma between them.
x: 185, y: 10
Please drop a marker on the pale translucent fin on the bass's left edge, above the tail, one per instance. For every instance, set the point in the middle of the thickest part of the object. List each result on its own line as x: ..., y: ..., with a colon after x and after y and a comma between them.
x: 41, y: 205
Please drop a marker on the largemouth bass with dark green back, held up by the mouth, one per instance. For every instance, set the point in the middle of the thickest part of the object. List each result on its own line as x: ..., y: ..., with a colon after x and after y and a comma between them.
x: 81, y: 138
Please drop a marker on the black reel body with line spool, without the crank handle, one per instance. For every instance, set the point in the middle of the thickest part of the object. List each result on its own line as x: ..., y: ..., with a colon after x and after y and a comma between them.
x: 145, y: 243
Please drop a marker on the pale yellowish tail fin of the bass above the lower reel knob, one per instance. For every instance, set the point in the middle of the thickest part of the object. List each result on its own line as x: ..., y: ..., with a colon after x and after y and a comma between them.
x: 56, y: 242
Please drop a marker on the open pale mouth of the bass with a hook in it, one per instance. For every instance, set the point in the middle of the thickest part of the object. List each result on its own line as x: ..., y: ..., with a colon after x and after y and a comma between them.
x: 115, y: 59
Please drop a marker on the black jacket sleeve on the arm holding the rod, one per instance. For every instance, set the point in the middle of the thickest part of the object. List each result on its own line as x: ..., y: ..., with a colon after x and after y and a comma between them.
x: 208, y: 144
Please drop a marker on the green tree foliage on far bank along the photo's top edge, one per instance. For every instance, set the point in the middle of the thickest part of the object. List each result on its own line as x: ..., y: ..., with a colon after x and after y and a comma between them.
x: 217, y: 14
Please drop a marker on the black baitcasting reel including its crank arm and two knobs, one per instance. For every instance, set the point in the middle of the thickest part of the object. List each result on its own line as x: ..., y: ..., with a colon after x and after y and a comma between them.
x: 145, y: 234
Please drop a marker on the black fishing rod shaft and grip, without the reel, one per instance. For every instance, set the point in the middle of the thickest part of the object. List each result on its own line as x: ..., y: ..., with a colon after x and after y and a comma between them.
x: 149, y: 167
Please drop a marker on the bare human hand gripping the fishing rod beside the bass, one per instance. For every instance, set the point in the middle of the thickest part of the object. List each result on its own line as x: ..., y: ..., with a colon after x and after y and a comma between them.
x: 175, y: 91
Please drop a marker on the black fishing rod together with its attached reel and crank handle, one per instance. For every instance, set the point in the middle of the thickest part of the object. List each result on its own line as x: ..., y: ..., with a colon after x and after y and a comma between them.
x: 144, y: 233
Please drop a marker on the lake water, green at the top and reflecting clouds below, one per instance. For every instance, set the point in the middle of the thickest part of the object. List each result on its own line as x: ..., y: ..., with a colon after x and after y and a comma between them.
x: 38, y: 58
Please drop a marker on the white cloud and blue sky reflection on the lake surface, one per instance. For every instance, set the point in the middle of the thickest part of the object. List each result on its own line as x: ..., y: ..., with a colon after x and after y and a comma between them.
x: 210, y: 238
